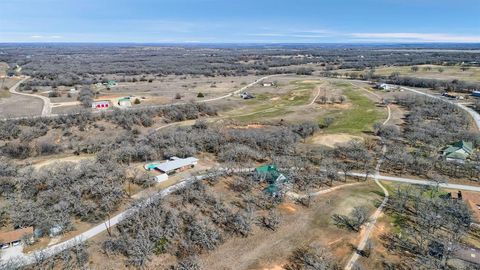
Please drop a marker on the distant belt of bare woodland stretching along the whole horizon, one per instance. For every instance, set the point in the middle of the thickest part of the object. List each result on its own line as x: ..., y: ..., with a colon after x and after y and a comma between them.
x: 82, y: 64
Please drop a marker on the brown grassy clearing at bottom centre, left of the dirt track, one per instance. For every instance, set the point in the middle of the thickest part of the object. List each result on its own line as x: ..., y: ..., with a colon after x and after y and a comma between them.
x: 300, y: 227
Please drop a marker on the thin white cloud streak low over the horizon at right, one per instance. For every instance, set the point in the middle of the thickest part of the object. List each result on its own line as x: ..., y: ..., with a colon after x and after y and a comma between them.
x: 419, y: 37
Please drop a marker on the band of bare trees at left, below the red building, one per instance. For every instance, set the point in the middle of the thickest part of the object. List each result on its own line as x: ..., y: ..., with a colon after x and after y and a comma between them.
x: 23, y: 137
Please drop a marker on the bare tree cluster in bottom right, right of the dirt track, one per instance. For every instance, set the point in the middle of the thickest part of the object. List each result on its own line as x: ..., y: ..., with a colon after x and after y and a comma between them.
x: 429, y: 229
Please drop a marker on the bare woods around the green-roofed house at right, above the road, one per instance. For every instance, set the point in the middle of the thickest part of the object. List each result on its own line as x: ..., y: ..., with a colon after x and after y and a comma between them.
x: 430, y: 125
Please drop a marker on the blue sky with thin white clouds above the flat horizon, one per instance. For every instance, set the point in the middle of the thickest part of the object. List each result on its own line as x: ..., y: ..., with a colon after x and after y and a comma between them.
x: 240, y: 21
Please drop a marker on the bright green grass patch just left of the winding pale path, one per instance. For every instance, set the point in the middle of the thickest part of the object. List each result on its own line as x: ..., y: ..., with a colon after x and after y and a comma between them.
x: 358, y: 118
